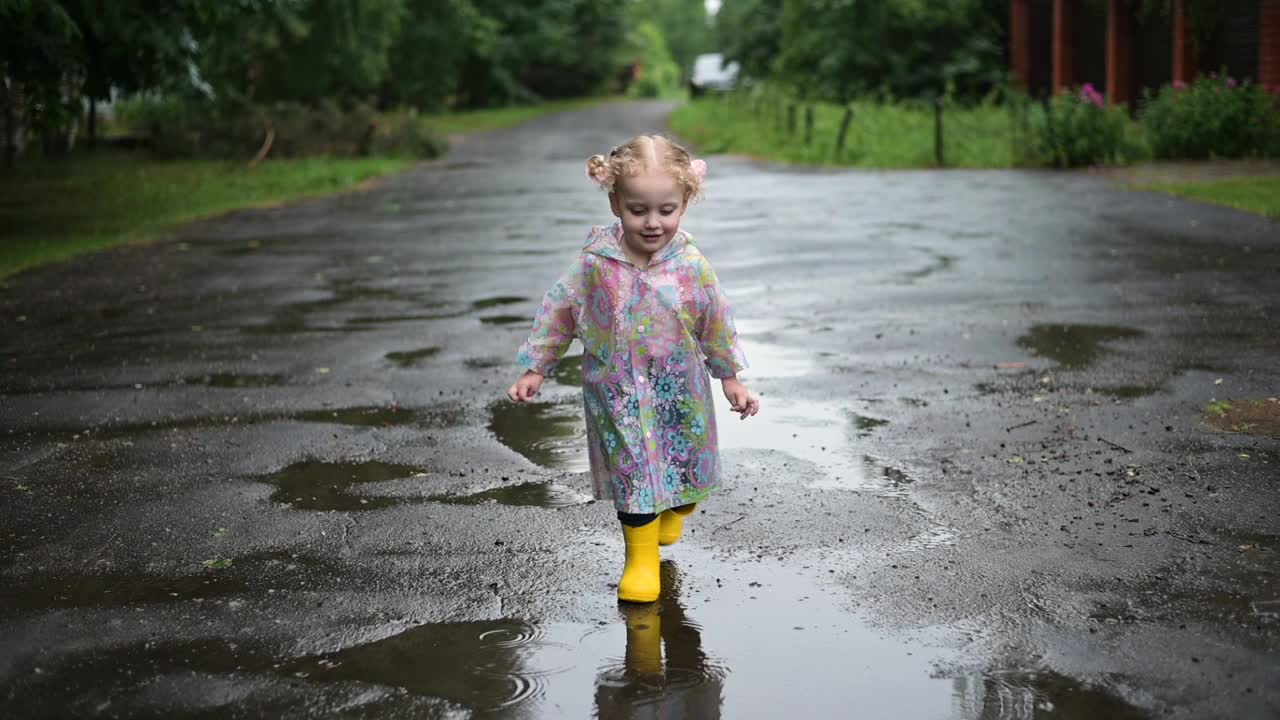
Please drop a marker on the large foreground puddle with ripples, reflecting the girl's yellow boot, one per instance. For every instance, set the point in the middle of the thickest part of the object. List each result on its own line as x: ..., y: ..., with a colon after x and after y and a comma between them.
x: 725, y: 640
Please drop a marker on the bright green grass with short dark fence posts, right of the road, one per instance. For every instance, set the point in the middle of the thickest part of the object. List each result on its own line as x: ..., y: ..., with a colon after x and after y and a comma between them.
x: 880, y: 136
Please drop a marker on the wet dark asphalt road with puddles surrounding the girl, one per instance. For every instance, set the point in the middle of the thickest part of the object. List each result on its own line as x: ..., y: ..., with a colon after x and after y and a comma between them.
x: 264, y: 470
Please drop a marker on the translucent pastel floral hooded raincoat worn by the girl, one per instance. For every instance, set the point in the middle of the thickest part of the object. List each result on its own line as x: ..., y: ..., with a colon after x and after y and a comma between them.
x: 648, y: 334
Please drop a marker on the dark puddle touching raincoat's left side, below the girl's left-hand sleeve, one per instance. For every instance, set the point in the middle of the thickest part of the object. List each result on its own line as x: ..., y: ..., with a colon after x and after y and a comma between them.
x: 552, y: 435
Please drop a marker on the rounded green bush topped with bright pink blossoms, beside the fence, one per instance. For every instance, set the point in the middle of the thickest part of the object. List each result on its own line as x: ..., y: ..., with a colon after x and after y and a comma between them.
x: 1078, y: 129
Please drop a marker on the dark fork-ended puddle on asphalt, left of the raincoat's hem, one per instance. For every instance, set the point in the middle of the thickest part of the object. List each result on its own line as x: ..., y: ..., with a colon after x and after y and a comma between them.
x: 328, y: 486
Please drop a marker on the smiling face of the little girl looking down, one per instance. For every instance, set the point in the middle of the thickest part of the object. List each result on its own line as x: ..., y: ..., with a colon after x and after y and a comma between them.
x: 650, y: 207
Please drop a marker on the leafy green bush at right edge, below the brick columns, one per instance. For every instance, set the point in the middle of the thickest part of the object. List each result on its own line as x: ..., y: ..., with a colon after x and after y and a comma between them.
x: 1215, y: 117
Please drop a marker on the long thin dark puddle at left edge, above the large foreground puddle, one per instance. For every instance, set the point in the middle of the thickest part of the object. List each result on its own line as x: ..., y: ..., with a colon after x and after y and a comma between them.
x: 112, y: 591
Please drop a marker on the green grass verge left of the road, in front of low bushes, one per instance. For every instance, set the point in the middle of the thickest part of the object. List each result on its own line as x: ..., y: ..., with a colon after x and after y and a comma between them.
x: 51, y: 211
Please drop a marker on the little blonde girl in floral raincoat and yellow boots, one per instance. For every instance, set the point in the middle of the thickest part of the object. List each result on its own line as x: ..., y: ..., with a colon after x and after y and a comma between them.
x: 650, y: 312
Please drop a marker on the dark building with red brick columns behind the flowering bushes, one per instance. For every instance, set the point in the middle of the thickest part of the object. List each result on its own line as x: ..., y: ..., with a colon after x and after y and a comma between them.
x: 1058, y: 44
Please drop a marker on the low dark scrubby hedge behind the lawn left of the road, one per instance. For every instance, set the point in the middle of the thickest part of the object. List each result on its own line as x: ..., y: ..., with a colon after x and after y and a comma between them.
x: 180, y: 129
